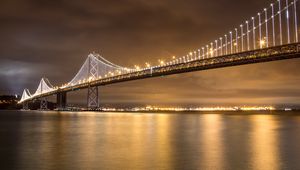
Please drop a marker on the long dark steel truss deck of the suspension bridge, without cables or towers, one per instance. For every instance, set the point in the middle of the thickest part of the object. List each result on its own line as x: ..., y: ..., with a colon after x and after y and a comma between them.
x: 250, y: 57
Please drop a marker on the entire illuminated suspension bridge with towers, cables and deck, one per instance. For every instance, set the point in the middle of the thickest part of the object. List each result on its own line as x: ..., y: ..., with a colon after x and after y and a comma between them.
x: 270, y: 35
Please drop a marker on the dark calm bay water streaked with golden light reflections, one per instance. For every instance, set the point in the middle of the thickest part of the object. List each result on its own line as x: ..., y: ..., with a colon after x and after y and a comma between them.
x: 87, y: 140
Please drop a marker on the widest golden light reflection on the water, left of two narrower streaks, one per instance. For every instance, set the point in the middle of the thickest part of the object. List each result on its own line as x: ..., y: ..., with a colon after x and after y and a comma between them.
x: 134, y: 137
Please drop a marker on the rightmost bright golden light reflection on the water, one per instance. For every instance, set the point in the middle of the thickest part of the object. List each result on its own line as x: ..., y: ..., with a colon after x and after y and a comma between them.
x: 264, y: 140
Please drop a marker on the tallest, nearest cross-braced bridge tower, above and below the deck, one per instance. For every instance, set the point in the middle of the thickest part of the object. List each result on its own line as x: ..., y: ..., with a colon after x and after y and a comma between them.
x: 92, y: 97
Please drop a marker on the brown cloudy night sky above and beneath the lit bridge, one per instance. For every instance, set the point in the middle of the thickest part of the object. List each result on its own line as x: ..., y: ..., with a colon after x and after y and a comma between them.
x: 52, y: 38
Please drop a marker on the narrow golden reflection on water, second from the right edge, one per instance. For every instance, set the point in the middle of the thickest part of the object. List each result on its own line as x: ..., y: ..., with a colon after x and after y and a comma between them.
x: 212, y: 141
